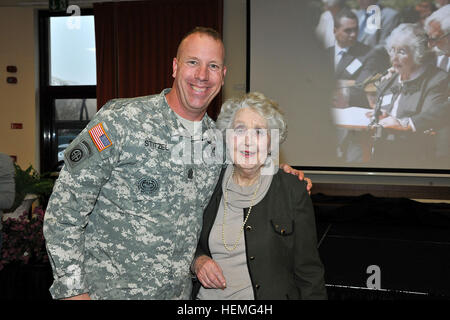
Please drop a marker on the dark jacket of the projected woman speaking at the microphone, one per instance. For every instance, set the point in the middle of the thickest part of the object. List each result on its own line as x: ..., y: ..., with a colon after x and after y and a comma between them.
x: 425, y: 101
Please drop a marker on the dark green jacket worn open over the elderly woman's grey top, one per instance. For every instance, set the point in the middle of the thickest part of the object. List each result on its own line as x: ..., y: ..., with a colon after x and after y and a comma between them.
x: 280, y: 240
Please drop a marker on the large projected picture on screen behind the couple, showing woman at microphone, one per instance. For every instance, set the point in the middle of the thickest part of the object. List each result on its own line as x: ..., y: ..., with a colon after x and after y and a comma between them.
x: 363, y: 83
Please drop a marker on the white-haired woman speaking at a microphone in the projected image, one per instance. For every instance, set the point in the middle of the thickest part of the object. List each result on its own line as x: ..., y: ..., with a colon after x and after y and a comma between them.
x: 412, y: 103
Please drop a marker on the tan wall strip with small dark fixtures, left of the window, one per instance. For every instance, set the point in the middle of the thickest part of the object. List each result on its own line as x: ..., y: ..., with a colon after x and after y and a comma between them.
x: 18, y: 101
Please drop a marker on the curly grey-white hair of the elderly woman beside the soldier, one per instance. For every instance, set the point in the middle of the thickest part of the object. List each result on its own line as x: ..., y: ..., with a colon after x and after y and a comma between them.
x: 266, y: 108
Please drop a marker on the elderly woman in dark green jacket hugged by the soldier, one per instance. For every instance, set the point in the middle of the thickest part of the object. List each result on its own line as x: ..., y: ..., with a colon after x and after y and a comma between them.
x: 259, y: 237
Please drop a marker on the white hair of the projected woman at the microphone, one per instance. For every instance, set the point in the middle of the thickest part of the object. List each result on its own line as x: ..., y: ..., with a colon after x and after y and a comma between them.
x: 412, y: 36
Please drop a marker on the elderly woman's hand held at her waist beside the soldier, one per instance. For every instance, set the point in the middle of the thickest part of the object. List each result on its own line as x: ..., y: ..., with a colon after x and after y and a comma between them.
x: 209, y: 273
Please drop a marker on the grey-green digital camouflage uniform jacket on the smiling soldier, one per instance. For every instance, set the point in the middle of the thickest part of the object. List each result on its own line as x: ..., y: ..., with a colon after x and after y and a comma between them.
x: 123, y: 222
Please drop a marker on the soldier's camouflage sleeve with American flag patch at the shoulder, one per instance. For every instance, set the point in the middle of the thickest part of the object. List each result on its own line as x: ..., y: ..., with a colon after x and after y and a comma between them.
x: 88, y: 162
